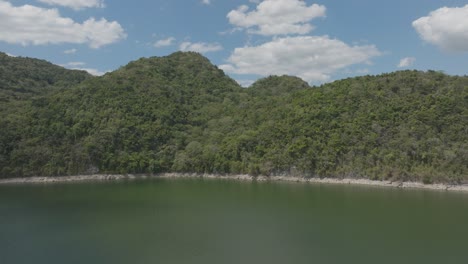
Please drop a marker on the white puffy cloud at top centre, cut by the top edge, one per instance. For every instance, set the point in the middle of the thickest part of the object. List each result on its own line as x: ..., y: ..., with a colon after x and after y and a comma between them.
x: 277, y: 17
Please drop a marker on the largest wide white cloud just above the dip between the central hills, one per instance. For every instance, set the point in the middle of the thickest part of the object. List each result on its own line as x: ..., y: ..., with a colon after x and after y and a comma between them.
x: 313, y: 58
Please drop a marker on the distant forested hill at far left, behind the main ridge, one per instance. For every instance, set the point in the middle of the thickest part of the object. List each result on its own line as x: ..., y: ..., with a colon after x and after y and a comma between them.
x: 21, y: 78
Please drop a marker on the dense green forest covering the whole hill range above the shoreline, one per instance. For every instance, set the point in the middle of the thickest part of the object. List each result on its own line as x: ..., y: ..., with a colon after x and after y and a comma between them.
x: 180, y: 113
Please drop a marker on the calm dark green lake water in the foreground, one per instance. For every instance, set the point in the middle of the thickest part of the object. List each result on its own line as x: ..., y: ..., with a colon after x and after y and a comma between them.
x: 223, y: 221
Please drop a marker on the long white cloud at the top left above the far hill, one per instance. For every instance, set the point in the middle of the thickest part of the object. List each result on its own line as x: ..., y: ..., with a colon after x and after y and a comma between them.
x: 28, y: 24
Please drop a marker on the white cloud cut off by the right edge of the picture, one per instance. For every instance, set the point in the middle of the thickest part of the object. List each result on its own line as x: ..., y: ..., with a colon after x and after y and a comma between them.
x: 446, y: 28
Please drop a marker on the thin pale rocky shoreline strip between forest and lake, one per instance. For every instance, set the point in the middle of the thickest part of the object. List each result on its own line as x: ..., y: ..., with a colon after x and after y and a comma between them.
x: 345, y: 181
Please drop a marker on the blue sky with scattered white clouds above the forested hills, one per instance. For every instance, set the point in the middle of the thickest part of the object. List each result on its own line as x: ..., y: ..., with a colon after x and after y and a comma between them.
x: 319, y: 41
